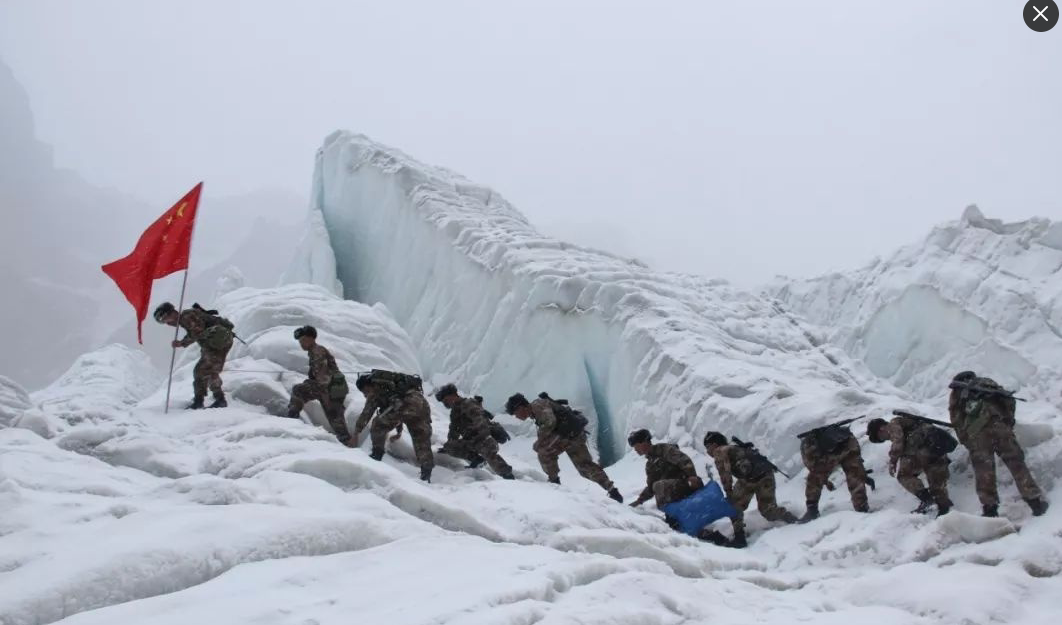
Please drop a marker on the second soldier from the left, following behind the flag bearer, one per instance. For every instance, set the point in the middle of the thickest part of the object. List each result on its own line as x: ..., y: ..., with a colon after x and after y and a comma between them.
x: 324, y: 384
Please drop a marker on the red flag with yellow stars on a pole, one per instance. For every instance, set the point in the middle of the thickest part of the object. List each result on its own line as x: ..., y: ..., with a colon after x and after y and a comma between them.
x: 163, y: 250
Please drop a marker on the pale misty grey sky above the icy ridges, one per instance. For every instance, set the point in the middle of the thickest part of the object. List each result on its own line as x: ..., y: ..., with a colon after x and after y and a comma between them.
x: 738, y: 140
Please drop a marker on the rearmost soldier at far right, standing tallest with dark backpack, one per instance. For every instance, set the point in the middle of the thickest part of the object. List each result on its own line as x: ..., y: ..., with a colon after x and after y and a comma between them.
x: 983, y: 413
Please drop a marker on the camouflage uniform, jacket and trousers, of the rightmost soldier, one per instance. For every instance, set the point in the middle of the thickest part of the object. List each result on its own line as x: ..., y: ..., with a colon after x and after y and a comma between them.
x: 988, y: 436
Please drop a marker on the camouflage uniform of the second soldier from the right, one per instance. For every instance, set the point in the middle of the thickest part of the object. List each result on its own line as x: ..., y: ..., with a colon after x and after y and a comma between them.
x: 911, y: 460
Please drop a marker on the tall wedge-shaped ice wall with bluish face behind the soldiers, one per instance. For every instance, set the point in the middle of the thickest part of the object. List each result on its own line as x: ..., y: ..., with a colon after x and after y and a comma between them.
x: 492, y: 303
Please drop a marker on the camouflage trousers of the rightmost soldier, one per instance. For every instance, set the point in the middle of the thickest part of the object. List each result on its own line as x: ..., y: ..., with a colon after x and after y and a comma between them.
x: 998, y: 439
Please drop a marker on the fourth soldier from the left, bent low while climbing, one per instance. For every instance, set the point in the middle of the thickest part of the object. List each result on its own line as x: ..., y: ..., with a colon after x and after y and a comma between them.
x: 470, y: 435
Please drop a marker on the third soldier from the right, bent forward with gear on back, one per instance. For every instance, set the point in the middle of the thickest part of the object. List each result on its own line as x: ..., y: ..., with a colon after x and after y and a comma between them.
x: 824, y: 450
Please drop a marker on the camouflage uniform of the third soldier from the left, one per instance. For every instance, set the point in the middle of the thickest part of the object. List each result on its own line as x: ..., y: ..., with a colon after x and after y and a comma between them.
x: 412, y: 410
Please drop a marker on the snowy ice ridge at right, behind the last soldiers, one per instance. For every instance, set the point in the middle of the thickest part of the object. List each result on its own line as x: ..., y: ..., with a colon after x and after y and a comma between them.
x: 977, y: 294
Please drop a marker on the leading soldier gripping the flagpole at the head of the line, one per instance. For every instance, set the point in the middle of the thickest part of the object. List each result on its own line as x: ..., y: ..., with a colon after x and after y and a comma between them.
x: 215, y: 338
